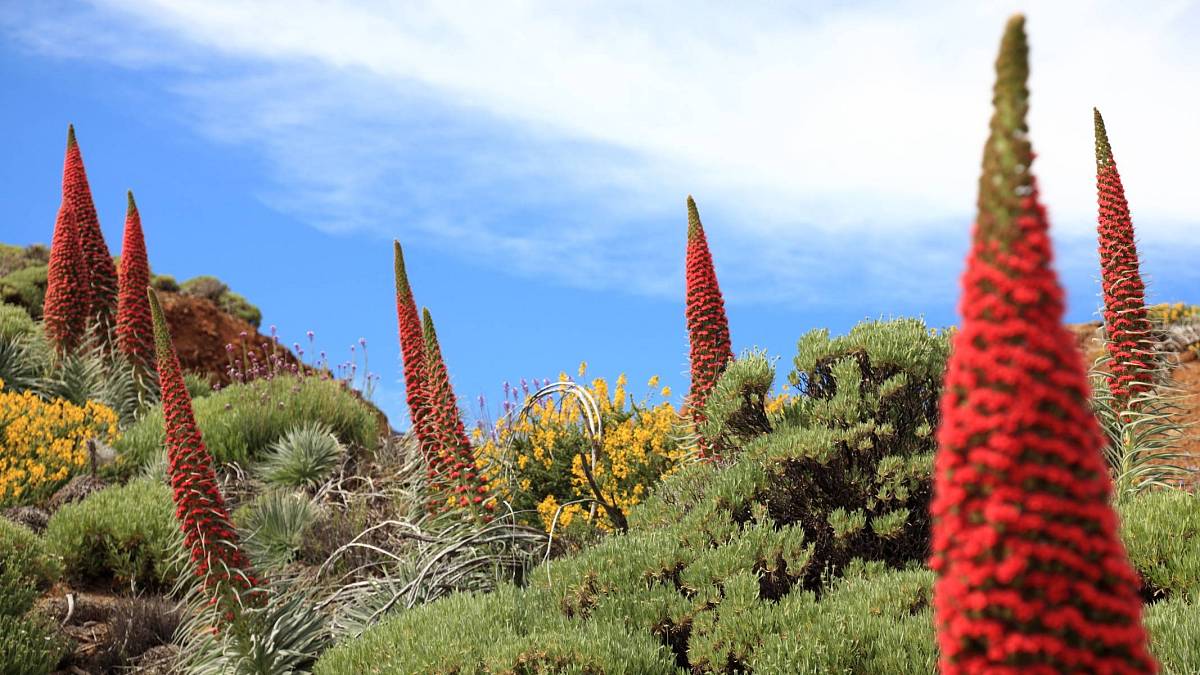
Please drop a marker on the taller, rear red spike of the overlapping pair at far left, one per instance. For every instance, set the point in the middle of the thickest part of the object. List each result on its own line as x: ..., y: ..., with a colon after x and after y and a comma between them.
x: 101, y: 271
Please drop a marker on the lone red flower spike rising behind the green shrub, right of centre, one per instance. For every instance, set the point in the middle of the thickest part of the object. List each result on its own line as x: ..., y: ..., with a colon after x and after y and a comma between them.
x: 709, y: 330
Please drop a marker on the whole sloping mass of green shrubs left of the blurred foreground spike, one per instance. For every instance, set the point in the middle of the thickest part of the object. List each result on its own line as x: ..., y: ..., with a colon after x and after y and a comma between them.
x: 722, y: 570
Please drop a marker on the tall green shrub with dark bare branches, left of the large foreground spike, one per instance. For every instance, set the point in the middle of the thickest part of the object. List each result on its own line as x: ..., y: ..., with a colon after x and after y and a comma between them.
x: 850, y: 458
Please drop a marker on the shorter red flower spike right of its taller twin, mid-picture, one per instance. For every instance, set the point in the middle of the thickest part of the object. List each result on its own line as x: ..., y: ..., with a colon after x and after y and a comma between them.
x: 445, y: 425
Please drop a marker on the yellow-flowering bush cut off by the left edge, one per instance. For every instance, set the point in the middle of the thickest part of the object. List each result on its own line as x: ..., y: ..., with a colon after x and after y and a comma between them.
x: 43, y: 444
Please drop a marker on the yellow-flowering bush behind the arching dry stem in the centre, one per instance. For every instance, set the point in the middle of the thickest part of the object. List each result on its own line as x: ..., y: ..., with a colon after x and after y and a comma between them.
x: 537, y: 461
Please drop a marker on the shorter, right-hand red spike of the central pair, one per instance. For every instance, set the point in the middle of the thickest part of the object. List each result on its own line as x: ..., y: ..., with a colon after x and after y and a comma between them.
x: 452, y: 458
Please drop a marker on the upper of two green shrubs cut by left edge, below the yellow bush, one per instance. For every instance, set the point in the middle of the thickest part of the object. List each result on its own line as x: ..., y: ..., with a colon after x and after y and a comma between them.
x: 26, y: 569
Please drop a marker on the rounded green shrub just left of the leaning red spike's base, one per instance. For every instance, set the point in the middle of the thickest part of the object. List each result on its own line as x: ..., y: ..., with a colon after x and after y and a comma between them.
x: 127, y: 533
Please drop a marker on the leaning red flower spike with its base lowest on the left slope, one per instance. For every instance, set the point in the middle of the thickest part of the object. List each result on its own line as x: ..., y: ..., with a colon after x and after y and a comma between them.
x: 218, y: 559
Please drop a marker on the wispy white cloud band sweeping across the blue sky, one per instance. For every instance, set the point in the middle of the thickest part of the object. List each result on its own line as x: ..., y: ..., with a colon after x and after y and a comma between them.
x: 560, y: 140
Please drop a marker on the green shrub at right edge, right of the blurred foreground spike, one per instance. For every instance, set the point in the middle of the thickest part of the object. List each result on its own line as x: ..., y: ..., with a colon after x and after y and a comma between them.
x: 1162, y: 533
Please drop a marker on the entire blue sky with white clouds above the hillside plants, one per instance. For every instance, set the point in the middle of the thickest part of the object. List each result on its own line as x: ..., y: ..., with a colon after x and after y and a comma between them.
x: 535, y: 160
